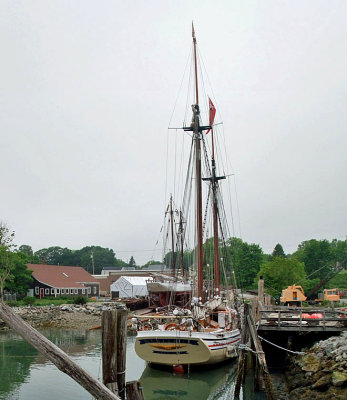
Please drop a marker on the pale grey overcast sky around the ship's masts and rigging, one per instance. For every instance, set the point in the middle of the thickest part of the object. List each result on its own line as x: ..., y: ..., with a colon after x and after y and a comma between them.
x: 88, y: 88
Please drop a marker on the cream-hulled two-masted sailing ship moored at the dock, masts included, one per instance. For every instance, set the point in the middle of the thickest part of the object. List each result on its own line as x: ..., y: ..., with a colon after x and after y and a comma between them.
x: 205, y: 332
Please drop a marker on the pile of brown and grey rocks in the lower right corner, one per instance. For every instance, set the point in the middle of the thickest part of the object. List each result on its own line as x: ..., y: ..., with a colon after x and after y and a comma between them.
x: 321, y: 373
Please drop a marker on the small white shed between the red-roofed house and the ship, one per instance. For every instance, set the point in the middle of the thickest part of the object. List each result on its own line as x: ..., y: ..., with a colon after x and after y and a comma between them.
x: 129, y: 286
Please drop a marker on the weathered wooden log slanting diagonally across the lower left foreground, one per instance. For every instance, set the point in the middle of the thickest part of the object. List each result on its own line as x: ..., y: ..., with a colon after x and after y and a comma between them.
x: 55, y: 354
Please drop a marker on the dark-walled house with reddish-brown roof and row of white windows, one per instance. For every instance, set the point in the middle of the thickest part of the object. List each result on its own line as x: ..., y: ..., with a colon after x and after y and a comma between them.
x: 58, y: 280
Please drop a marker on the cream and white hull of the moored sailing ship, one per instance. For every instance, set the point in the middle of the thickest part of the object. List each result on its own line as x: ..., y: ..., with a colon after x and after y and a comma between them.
x: 183, y: 347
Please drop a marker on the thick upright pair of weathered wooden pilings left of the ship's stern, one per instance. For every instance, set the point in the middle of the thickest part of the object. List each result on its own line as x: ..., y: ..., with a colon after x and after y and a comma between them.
x: 114, y: 331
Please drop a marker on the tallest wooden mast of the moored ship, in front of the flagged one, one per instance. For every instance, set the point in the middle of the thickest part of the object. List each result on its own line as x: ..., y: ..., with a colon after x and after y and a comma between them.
x: 197, y: 139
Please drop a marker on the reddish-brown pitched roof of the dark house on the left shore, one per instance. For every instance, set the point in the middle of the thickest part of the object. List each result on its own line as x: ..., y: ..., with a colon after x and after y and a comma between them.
x: 61, y: 276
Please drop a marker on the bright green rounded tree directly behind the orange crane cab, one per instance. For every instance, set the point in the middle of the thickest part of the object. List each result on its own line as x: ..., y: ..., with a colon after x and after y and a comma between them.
x: 280, y: 273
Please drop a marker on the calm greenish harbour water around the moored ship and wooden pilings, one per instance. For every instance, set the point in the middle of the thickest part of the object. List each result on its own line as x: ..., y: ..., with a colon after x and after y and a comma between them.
x: 27, y: 375
